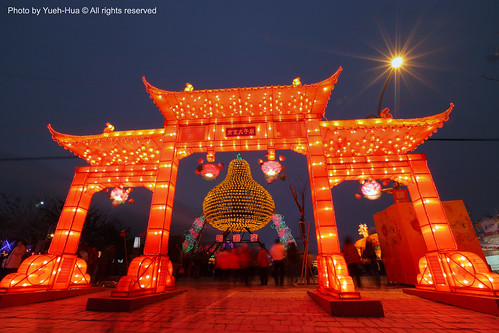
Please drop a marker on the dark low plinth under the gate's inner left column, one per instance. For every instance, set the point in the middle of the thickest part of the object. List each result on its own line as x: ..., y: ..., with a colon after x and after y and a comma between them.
x: 128, y: 304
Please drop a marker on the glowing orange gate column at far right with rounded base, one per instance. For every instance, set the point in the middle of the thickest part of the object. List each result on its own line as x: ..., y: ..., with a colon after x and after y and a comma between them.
x: 444, y: 267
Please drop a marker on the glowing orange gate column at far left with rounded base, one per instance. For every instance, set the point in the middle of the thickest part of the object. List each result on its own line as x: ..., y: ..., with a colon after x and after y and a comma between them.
x: 60, y: 268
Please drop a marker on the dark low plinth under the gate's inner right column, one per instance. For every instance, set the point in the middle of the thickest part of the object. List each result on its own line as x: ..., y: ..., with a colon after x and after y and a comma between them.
x: 348, y: 307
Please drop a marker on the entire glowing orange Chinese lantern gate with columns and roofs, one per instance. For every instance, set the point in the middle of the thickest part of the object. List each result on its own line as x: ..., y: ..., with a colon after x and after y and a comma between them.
x: 261, y: 118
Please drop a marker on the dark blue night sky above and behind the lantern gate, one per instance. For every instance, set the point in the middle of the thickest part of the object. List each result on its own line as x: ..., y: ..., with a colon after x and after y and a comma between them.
x: 78, y: 72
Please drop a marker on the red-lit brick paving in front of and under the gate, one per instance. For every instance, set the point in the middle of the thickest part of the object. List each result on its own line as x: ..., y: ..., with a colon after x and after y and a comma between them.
x: 213, y: 307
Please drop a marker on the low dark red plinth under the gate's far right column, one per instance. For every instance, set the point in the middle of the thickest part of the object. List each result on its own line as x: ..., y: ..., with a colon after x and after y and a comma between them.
x: 485, y: 304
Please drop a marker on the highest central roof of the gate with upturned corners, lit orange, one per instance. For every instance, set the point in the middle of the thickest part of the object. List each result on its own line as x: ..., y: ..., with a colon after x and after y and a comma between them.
x: 244, y: 104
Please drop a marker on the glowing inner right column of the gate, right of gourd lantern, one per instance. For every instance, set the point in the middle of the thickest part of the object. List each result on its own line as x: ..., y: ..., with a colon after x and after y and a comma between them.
x: 333, y: 273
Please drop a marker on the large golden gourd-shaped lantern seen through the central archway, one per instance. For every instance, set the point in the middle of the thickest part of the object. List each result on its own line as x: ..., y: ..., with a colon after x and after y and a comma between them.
x: 238, y: 202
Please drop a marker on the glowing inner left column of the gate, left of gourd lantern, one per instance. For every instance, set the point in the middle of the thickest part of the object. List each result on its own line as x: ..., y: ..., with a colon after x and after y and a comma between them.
x: 153, y: 271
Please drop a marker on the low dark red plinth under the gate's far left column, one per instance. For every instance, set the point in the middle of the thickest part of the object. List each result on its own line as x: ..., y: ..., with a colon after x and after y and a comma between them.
x: 23, y: 298
